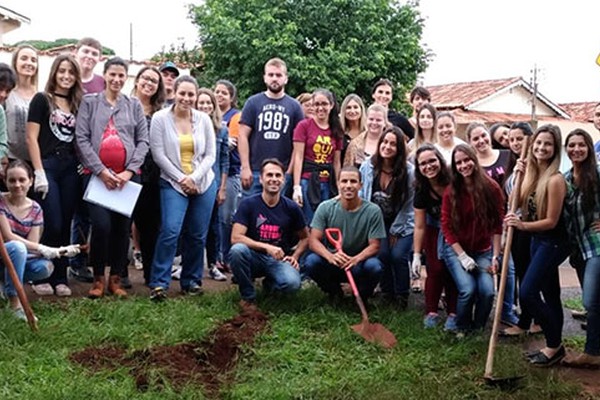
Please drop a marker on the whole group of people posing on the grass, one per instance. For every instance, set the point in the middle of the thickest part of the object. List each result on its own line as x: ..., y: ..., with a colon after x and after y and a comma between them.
x: 262, y: 189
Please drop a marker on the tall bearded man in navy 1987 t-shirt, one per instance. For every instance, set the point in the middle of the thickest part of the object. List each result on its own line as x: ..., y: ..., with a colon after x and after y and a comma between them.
x: 266, y: 127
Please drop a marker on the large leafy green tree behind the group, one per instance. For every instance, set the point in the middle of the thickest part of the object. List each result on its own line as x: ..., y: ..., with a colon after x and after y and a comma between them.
x: 342, y: 45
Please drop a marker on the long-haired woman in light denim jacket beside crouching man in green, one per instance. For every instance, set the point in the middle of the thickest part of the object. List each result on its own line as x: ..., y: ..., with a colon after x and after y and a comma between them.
x: 387, y: 180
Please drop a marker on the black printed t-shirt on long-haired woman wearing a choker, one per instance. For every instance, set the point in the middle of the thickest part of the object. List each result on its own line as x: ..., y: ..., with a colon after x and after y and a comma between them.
x: 57, y: 128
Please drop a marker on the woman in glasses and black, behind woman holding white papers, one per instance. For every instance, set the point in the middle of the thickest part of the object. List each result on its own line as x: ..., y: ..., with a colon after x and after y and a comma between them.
x: 149, y: 89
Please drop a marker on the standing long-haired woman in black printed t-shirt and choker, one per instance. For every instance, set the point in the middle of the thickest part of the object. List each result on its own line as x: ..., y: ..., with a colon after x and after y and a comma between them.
x: 51, y: 144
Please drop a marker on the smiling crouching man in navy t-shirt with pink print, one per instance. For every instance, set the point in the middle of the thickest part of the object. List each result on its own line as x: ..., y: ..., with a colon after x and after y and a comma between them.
x: 265, y: 227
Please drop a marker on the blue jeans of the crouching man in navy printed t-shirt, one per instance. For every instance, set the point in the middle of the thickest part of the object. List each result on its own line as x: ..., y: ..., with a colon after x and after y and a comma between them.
x: 247, y: 264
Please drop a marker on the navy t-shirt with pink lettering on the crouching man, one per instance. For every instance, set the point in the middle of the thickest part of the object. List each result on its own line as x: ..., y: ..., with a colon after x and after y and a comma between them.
x: 276, y: 225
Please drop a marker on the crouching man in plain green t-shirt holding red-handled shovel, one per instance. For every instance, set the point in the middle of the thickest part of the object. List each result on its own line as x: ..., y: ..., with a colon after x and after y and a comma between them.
x: 362, y: 227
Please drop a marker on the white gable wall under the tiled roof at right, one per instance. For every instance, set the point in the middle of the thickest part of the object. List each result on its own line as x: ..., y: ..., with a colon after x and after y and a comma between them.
x: 513, y: 101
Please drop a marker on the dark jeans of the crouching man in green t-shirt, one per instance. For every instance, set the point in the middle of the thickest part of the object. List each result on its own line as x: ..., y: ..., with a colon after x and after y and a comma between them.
x: 366, y: 274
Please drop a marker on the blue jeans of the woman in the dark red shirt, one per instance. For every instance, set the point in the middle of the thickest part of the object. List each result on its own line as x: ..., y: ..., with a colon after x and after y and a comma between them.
x: 475, y: 289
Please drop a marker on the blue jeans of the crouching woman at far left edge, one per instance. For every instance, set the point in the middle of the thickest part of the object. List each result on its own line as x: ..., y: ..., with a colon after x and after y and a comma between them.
x: 28, y: 269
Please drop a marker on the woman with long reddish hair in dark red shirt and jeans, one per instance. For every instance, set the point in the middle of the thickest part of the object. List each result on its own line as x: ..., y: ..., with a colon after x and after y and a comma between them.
x: 472, y: 213
